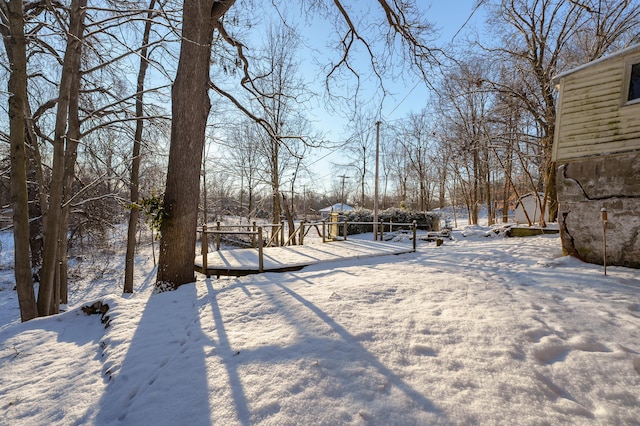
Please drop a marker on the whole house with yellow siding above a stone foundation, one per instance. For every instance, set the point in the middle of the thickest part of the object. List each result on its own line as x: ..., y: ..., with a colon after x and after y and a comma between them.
x: 597, y: 154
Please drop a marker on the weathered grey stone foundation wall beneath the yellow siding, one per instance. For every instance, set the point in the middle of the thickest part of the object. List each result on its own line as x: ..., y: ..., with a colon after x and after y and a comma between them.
x: 584, y: 188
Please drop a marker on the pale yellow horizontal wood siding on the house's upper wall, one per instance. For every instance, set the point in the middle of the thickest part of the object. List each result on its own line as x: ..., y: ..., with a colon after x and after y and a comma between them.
x: 593, y: 115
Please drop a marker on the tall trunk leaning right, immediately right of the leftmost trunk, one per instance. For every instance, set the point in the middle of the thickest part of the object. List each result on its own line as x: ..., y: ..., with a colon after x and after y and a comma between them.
x: 71, y: 66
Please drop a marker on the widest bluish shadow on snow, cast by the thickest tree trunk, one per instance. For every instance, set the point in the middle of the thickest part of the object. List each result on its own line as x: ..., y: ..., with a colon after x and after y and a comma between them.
x: 162, y: 378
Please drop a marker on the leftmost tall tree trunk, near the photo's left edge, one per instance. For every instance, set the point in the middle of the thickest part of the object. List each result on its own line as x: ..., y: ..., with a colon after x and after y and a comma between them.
x: 19, y: 193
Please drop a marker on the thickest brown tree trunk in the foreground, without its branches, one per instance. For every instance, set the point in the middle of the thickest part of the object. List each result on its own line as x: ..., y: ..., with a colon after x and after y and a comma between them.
x: 190, y: 109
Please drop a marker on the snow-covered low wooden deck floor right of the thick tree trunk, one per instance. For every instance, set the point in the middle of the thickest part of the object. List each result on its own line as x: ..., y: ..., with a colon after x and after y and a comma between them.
x: 240, y: 262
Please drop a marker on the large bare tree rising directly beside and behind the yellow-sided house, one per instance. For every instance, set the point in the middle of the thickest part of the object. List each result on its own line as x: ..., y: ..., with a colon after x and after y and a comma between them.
x: 540, y: 38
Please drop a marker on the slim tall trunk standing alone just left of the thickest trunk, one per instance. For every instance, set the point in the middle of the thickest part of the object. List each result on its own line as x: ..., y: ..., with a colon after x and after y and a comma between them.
x: 134, y: 211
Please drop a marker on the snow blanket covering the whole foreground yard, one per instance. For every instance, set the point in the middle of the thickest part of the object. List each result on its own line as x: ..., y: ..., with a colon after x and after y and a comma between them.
x: 481, y: 330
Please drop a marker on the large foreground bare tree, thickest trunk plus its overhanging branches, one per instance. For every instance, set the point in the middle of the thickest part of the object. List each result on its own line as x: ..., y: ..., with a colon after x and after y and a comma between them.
x: 190, y: 105
